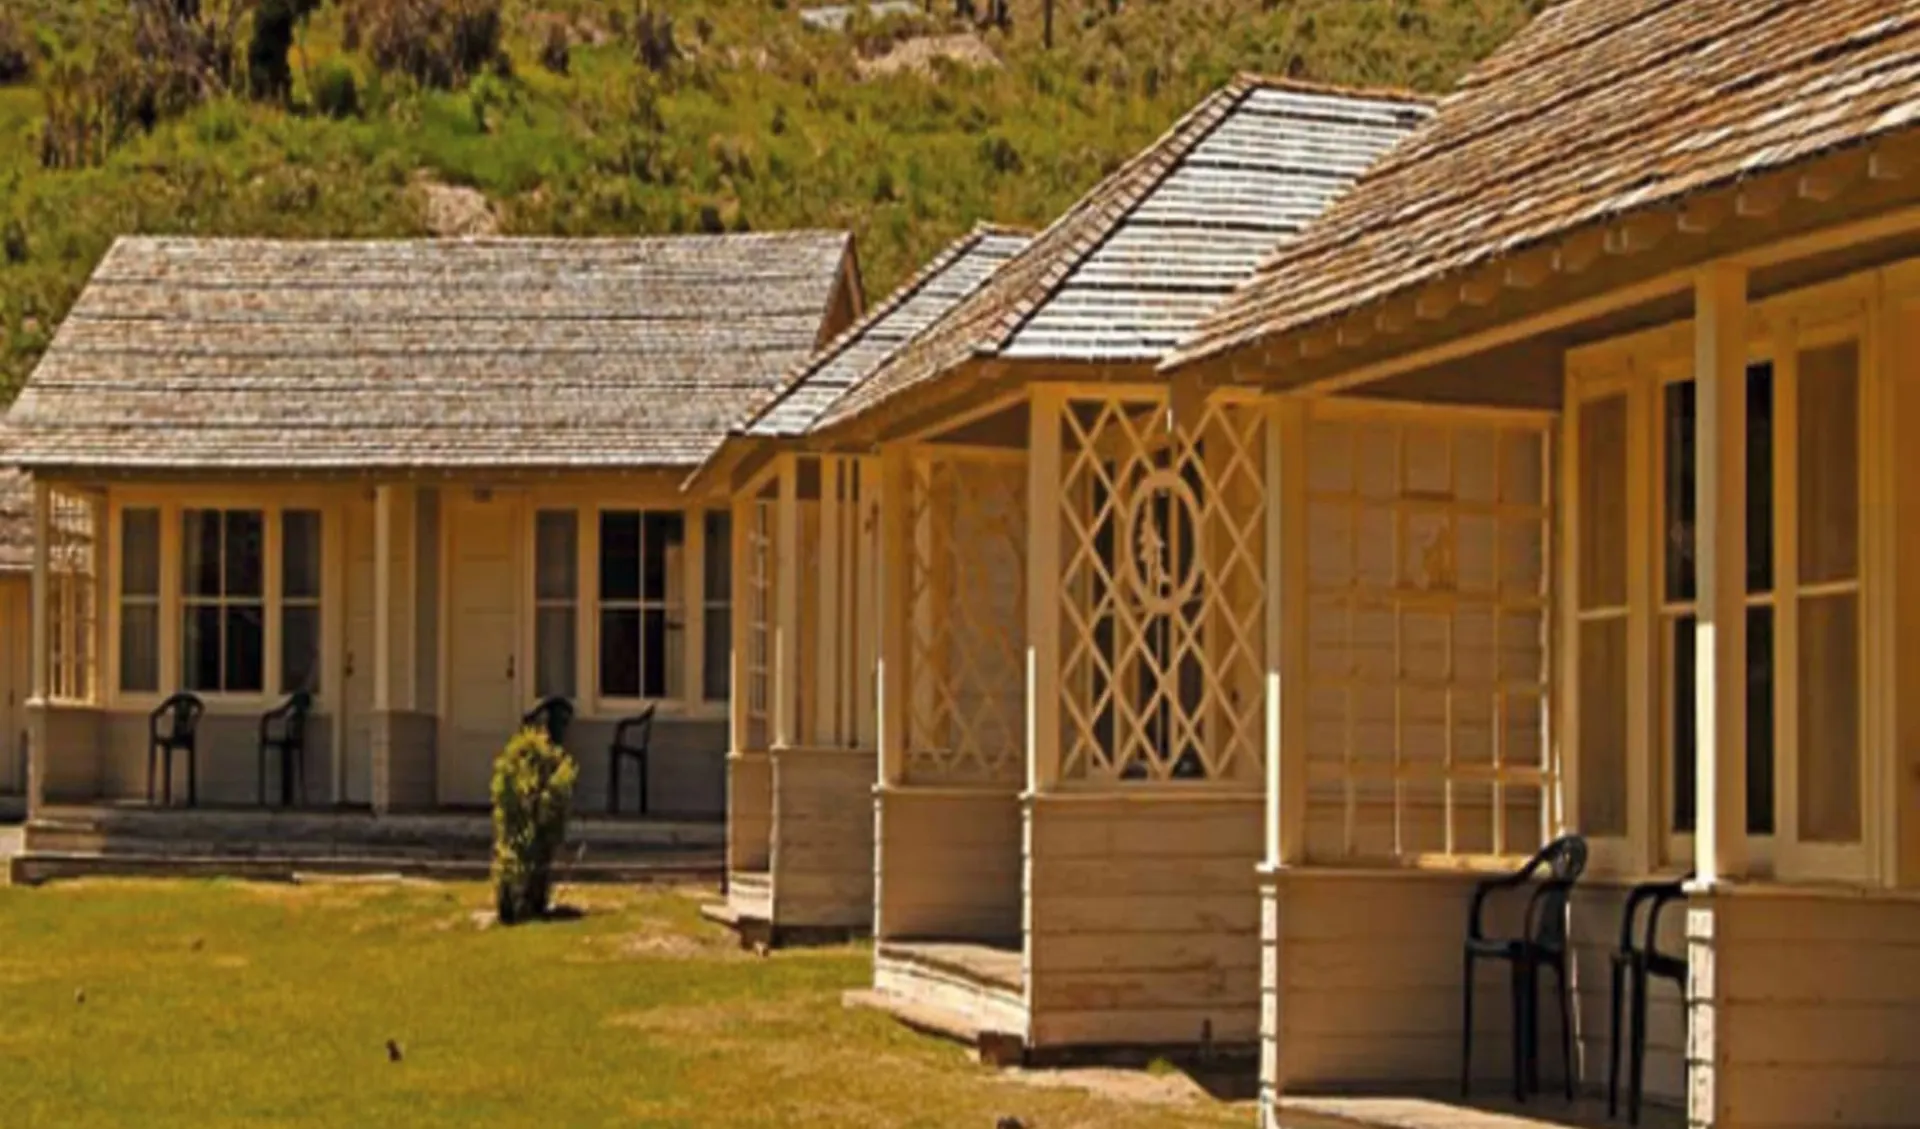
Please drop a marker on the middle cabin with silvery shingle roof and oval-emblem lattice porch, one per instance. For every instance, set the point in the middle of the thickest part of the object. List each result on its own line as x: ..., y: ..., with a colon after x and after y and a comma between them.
x: 1070, y: 637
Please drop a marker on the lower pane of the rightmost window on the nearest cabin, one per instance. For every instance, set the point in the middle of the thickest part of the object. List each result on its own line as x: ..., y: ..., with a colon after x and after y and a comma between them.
x: 1831, y: 721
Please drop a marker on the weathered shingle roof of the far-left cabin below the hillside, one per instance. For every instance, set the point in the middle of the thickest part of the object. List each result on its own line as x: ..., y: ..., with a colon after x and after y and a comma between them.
x: 427, y: 354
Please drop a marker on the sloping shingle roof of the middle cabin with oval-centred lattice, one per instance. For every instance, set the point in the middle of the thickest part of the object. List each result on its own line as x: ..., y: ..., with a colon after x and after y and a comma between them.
x: 1134, y: 266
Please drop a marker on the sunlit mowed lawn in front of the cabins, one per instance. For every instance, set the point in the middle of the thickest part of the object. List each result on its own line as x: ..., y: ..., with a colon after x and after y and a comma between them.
x: 212, y: 1005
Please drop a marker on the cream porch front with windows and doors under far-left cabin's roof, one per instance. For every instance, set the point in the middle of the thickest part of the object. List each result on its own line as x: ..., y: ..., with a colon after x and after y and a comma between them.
x: 423, y: 617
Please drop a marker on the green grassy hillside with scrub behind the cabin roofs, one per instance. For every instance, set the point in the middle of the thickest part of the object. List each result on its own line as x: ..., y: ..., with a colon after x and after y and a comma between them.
x: 746, y: 120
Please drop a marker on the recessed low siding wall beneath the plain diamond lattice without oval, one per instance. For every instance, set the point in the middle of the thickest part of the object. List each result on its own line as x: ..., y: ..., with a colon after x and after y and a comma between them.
x: 948, y: 865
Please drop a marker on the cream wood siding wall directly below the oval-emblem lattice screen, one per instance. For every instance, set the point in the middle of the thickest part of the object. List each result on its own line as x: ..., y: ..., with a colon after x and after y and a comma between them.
x: 1143, y: 921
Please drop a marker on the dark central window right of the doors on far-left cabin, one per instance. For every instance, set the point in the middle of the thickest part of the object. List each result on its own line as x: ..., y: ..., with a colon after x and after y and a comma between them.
x: 640, y: 604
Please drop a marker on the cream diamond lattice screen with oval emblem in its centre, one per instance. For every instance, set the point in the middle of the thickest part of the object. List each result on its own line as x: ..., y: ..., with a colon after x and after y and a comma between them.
x: 1163, y: 637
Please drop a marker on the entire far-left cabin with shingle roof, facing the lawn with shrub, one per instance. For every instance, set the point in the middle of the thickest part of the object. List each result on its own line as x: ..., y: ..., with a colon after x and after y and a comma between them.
x: 429, y: 483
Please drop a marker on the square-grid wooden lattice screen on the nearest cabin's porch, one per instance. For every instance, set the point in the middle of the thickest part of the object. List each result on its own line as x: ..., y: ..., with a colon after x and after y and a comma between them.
x: 1428, y: 635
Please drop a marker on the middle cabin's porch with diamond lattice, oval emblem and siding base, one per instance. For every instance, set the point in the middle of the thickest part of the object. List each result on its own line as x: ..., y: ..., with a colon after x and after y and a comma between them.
x: 1072, y: 723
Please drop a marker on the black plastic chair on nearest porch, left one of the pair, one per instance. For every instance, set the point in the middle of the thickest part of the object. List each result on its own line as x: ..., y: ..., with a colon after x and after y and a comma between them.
x: 1543, y: 944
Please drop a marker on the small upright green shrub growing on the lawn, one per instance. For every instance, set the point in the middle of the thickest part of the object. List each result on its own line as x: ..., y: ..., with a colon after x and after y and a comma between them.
x: 533, y: 798
